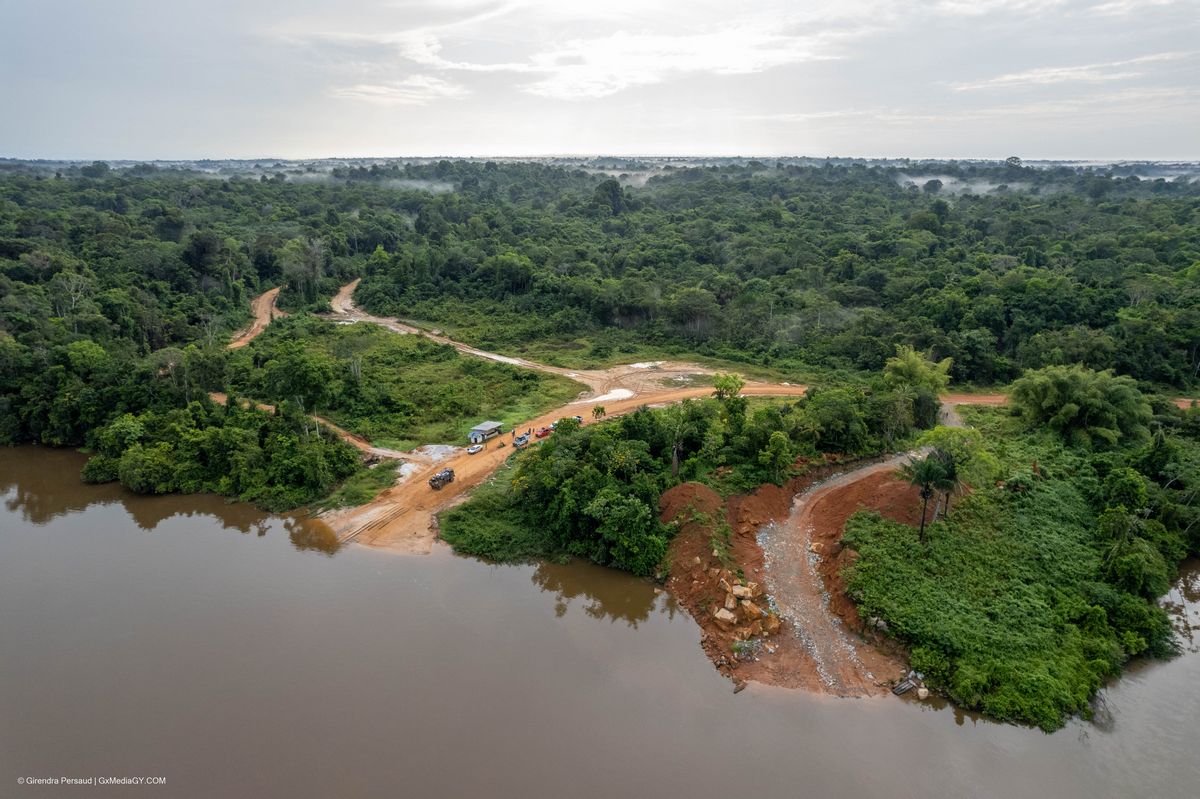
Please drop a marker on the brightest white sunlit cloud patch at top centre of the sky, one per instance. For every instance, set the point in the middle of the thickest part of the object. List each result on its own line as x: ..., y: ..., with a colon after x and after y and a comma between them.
x: 637, y: 43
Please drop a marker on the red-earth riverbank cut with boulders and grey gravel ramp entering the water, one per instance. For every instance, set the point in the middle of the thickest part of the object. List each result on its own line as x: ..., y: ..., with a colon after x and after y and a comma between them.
x: 777, y: 540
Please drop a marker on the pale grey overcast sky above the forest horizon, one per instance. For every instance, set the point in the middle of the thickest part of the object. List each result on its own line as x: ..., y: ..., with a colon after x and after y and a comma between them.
x: 307, y: 79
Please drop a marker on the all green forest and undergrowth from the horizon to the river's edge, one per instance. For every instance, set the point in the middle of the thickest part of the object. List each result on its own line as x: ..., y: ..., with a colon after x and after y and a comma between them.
x: 119, y: 291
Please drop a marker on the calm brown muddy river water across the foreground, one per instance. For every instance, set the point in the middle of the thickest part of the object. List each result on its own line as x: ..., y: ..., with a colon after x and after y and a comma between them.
x: 238, y: 656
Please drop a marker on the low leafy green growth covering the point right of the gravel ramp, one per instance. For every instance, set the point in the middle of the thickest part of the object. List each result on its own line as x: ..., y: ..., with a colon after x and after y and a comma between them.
x: 1006, y: 606
